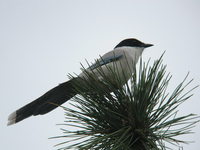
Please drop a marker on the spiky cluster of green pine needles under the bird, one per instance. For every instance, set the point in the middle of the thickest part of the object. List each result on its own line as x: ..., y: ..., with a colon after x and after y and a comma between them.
x: 141, y: 115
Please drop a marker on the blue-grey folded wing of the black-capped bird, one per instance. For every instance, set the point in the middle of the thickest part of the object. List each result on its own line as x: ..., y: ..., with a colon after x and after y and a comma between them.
x: 105, y: 60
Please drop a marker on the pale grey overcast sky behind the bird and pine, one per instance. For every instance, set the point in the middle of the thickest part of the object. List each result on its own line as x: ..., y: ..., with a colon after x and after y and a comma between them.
x: 41, y: 41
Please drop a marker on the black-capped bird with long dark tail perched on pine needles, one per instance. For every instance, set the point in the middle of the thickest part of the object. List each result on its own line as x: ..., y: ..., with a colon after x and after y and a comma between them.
x: 125, y: 53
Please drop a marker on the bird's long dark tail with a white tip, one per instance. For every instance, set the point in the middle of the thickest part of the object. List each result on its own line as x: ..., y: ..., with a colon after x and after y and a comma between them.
x: 46, y: 103
